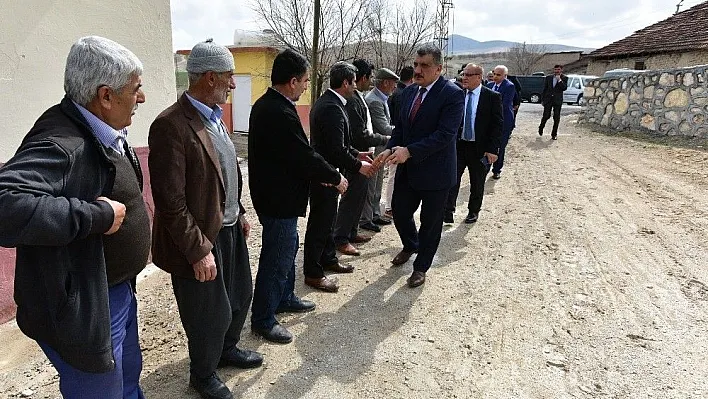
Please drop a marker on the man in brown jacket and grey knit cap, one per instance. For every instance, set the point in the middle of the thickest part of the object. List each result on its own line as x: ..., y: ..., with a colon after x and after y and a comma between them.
x: 199, y: 230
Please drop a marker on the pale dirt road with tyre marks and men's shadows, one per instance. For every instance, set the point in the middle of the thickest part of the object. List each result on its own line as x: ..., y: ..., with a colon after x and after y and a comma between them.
x: 585, y: 277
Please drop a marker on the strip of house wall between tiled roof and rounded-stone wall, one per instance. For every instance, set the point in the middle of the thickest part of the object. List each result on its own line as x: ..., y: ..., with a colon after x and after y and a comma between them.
x: 660, y: 61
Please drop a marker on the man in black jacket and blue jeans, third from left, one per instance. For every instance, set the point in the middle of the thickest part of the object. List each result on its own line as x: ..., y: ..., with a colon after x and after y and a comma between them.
x: 282, y: 165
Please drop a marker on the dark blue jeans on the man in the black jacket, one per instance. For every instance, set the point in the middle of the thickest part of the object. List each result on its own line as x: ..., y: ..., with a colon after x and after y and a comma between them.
x: 275, y: 281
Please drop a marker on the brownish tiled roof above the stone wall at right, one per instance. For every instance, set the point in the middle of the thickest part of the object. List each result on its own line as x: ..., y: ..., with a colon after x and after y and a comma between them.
x: 685, y: 31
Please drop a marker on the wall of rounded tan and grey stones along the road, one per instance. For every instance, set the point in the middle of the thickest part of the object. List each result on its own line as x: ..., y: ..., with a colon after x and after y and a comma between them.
x: 669, y: 102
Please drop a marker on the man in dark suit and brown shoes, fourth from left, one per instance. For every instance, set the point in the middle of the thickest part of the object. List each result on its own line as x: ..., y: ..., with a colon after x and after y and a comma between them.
x: 329, y: 136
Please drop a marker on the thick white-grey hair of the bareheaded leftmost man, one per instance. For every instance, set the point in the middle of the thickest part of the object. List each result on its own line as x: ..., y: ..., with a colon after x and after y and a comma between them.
x: 95, y: 61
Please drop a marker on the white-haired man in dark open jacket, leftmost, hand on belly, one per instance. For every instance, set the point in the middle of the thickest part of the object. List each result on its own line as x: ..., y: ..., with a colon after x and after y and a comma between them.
x: 71, y: 203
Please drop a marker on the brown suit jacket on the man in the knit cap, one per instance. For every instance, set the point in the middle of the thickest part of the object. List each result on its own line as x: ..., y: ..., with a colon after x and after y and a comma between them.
x: 187, y: 188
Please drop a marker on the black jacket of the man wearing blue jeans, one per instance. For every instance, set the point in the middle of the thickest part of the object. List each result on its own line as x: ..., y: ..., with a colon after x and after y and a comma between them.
x: 281, y: 162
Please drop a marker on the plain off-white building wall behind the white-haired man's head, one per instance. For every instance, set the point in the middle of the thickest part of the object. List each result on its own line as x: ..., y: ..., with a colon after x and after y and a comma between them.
x: 35, y: 37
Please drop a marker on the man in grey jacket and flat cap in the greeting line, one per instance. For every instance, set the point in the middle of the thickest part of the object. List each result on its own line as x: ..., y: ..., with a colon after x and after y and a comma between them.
x: 377, y: 101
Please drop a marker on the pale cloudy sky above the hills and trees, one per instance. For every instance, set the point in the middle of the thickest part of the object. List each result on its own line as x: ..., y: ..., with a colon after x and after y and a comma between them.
x: 581, y: 23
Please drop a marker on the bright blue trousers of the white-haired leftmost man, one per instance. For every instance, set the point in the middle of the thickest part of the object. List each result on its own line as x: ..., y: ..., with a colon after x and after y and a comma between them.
x: 123, y: 381
